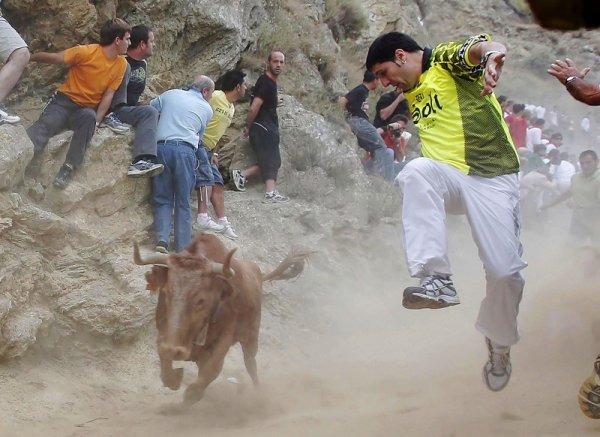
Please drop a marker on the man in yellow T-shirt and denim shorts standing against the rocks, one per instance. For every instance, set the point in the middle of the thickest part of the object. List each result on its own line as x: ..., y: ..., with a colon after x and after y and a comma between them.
x: 209, y: 180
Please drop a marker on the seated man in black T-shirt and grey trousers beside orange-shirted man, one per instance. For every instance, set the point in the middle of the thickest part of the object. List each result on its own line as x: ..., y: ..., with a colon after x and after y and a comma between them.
x: 126, y: 107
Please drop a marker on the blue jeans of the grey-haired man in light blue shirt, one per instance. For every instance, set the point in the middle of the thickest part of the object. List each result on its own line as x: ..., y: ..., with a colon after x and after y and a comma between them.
x: 171, y: 191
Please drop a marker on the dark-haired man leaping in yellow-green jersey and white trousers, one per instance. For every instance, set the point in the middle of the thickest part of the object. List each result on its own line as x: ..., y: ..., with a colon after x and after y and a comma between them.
x: 469, y: 166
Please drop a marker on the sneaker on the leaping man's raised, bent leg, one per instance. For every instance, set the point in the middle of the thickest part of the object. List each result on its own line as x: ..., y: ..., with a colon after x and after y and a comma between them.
x: 434, y: 292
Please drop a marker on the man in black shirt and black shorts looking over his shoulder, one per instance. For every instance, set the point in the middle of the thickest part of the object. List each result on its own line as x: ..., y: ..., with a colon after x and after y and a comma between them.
x: 262, y: 126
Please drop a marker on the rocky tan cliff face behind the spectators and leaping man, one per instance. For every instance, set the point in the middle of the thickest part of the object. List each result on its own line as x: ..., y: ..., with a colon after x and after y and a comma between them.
x: 65, y: 256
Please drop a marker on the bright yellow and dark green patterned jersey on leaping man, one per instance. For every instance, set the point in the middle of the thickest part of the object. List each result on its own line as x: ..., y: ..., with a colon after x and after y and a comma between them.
x: 456, y: 124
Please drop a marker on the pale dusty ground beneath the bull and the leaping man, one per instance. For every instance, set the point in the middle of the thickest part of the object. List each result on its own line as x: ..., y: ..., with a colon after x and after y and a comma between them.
x: 368, y: 368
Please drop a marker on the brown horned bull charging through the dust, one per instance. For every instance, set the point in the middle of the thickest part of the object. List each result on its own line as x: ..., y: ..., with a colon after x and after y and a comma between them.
x: 207, y: 302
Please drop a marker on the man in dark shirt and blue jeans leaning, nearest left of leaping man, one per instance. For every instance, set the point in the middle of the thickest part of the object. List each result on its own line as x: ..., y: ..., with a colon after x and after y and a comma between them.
x: 355, y: 107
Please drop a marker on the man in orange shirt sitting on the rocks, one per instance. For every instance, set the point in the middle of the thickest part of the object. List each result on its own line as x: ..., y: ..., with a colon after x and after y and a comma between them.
x: 80, y: 103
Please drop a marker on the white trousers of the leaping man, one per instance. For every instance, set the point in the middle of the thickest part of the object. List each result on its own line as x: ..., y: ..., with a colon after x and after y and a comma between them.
x: 431, y: 189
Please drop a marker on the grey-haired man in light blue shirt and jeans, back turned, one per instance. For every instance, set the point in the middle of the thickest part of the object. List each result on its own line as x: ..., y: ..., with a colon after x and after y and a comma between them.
x: 183, y: 118
